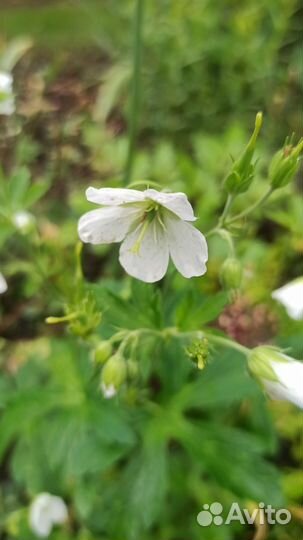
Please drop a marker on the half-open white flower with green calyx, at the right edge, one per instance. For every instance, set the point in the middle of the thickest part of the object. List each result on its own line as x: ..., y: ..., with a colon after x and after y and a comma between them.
x: 280, y: 375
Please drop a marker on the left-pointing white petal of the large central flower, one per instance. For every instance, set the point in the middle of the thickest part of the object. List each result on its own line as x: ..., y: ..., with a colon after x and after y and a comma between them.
x: 106, y: 225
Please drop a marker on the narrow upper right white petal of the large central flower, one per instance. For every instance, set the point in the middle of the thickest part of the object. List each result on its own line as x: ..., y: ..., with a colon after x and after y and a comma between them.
x: 177, y: 203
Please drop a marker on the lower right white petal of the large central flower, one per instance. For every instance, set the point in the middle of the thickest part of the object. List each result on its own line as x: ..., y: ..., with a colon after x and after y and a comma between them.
x: 187, y: 247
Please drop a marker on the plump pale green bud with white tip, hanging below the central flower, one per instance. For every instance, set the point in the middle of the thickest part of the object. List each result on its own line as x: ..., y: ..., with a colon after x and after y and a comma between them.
x: 113, y: 375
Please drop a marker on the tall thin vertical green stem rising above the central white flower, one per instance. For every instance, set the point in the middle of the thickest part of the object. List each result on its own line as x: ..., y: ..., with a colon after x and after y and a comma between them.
x: 135, y: 99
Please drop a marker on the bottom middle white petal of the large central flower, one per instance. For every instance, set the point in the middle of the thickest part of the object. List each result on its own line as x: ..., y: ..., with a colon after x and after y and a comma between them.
x: 150, y: 260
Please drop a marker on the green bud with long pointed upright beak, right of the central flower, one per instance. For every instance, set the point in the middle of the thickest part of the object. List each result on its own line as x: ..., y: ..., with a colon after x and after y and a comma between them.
x: 242, y: 172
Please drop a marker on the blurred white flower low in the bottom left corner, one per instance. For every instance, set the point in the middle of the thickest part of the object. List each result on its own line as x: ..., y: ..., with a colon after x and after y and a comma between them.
x: 46, y: 511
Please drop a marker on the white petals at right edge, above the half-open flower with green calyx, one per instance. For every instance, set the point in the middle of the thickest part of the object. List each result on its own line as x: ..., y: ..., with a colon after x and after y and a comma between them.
x: 291, y: 297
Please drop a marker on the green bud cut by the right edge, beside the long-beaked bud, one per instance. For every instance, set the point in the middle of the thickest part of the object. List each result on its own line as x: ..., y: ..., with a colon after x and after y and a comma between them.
x: 284, y: 165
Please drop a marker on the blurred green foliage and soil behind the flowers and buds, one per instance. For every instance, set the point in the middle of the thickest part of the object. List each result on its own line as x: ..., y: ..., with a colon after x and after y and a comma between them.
x: 143, y: 465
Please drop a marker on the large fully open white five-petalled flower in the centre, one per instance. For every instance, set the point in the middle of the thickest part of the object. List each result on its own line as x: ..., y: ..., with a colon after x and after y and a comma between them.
x: 152, y: 227
